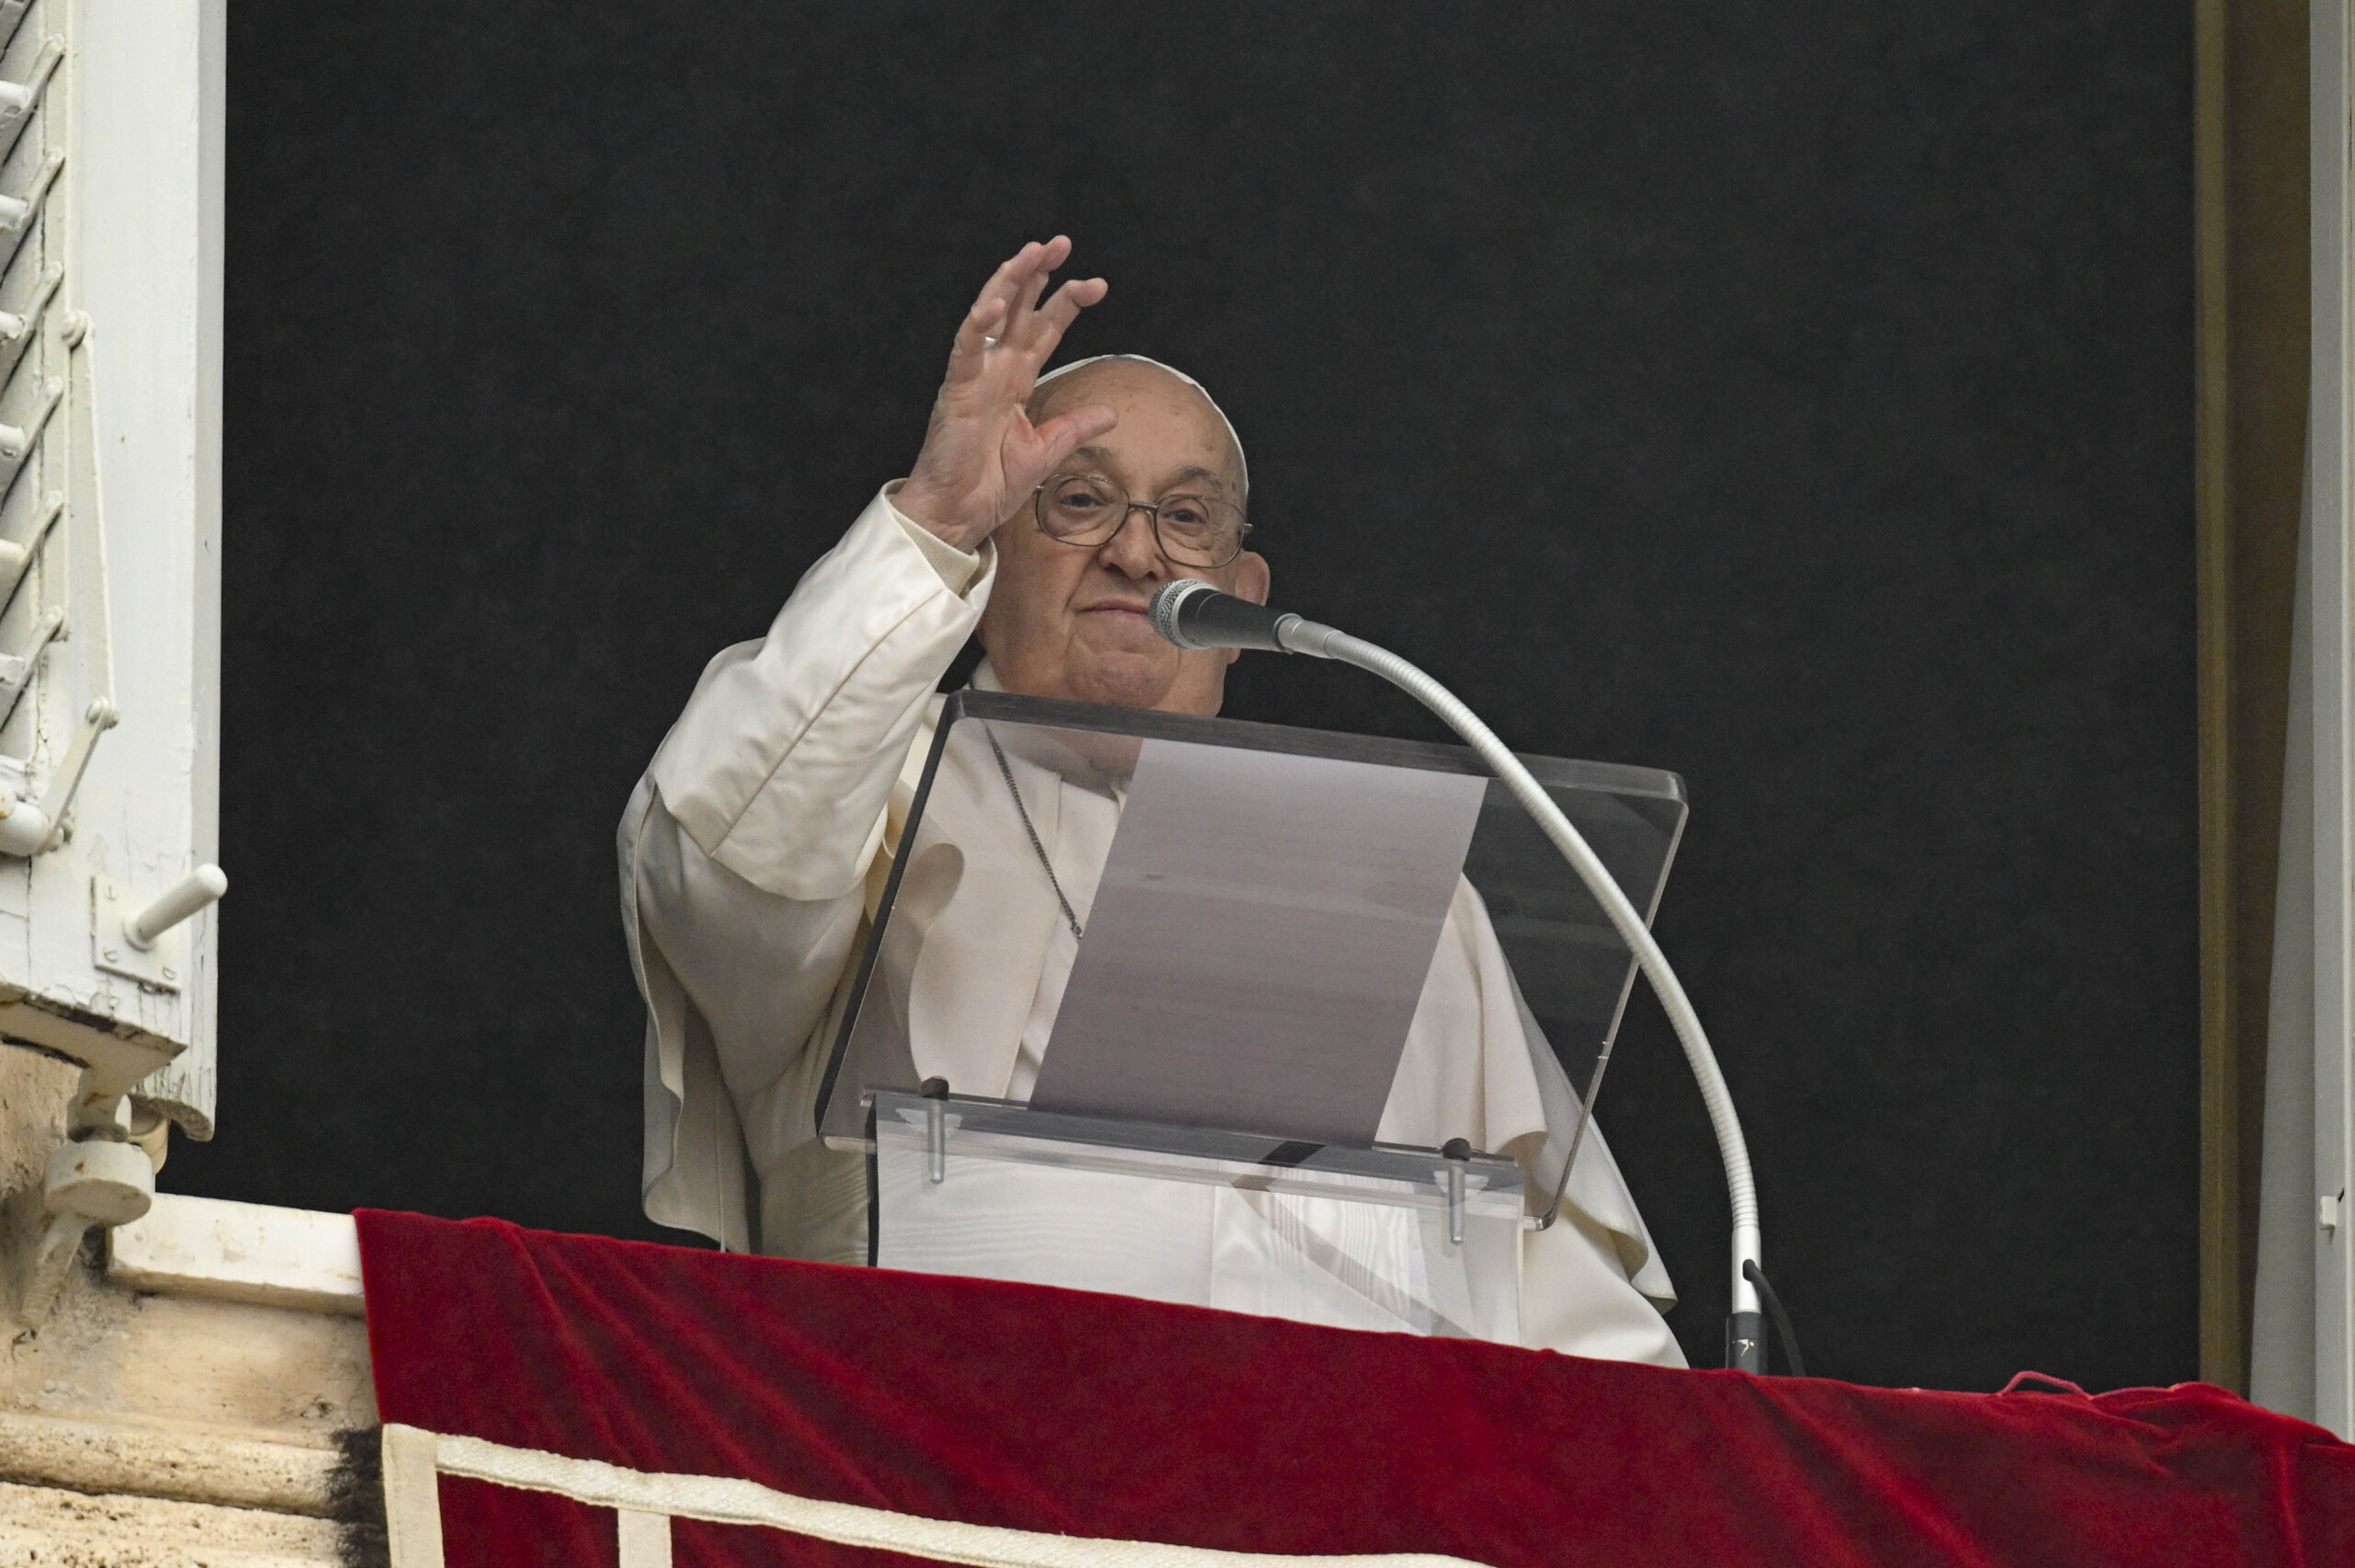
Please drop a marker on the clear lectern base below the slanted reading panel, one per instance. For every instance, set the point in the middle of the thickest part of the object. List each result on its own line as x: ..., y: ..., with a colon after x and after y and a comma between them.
x: 1351, y: 1240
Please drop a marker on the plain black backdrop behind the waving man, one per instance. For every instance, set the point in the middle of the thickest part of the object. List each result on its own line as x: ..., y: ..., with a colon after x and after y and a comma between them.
x: 1791, y: 397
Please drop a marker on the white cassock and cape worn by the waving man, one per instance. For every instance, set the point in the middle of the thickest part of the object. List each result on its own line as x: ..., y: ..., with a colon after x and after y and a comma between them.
x: 752, y: 861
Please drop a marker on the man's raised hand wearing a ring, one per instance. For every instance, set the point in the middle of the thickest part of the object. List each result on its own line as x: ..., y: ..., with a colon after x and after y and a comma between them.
x: 981, y: 453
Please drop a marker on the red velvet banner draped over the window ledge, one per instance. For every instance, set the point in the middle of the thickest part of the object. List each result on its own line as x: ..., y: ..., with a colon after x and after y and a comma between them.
x: 1110, y: 1418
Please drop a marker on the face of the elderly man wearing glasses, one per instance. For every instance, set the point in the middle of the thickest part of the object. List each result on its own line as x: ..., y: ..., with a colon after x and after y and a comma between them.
x: 1073, y: 620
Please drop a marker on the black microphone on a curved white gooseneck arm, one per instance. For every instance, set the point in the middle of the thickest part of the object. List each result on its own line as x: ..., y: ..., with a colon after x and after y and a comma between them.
x: 1193, y: 613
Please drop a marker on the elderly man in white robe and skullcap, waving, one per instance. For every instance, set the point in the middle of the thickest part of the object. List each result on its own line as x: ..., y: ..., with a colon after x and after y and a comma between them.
x: 759, y: 842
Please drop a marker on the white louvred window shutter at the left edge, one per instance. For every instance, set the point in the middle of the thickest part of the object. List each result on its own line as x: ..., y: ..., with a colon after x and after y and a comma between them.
x: 110, y: 418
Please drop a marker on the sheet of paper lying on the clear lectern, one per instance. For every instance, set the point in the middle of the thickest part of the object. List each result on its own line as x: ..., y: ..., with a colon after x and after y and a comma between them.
x: 1259, y: 943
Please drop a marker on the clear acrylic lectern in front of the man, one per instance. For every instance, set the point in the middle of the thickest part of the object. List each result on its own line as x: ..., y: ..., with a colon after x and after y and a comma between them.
x: 1254, y: 924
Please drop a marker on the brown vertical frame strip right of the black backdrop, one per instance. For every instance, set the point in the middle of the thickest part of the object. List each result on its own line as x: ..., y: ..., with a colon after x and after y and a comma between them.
x: 2253, y: 215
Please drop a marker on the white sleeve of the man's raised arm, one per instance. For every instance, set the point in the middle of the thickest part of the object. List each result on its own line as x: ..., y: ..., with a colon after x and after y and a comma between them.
x: 745, y: 849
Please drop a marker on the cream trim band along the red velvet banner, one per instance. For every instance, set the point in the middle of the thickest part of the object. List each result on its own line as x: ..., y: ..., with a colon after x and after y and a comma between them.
x: 745, y: 1503
